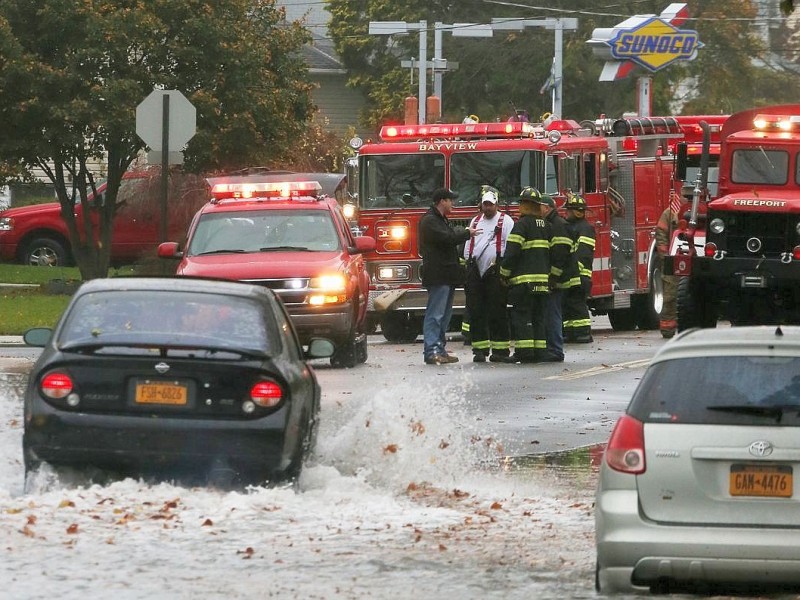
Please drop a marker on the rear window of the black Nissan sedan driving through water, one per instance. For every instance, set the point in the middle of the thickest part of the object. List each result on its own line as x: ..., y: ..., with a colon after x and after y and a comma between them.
x: 165, y: 318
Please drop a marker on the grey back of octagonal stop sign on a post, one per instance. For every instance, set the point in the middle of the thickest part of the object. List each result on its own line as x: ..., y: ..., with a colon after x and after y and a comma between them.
x: 181, y: 118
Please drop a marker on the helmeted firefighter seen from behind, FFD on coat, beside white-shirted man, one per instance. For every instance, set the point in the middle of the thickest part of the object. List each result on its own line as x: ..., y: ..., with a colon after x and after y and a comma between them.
x: 526, y: 269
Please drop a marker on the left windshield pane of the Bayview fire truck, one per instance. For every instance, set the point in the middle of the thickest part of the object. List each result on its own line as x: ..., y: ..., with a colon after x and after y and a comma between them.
x: 400, y: 180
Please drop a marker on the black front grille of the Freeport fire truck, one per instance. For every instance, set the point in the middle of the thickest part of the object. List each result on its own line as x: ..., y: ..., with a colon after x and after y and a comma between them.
x: 751, y: 234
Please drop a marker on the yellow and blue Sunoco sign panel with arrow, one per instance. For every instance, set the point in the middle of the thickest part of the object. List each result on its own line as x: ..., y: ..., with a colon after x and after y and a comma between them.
x: 655, y: 44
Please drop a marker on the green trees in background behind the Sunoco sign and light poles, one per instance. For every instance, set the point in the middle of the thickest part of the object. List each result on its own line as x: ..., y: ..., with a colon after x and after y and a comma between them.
x: 511, y: 67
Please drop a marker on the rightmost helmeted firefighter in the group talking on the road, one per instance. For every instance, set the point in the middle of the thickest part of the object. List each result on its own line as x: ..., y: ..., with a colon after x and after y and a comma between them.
x: 577, y: 321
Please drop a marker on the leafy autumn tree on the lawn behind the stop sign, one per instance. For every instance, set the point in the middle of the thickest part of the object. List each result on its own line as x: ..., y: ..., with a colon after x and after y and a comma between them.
x: 73, y: 71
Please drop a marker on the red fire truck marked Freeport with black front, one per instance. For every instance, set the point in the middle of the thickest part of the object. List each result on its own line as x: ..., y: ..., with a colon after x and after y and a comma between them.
x: 738, y: 250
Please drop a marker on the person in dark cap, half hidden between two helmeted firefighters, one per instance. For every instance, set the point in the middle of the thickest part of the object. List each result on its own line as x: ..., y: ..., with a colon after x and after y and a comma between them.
x: 563, y: 275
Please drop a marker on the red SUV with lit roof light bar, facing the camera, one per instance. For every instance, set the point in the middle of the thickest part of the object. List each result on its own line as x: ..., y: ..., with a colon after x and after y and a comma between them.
x: 287, y: 236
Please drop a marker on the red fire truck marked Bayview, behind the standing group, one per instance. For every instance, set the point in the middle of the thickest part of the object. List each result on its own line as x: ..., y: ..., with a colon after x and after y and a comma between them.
x: 622, y: 167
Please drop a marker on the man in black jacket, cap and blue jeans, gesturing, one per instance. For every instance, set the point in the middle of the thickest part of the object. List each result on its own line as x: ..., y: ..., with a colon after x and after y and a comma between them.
x: 441, y: 273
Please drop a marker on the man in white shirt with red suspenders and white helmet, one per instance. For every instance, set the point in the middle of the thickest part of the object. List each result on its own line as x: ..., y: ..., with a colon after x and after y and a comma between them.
x: 485, y: 293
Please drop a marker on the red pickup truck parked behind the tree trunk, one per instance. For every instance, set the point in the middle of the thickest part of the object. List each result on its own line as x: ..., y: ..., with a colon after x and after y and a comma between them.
x: 37, y: 235
